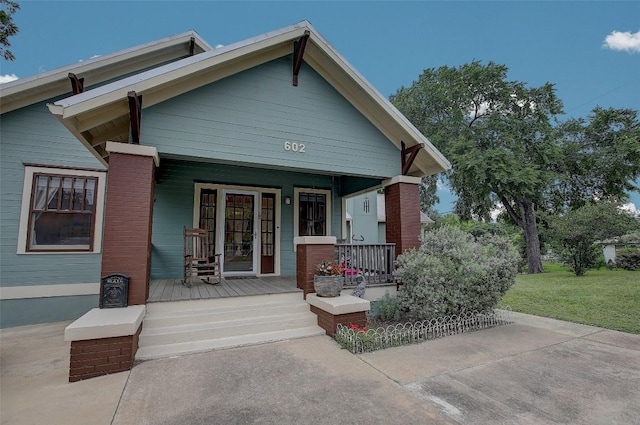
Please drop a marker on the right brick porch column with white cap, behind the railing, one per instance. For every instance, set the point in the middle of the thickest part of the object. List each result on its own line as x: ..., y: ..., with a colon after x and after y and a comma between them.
x: 402, y: 209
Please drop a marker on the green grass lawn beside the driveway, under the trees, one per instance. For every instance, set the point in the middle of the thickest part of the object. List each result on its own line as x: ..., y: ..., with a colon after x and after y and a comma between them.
x: 605, y: 298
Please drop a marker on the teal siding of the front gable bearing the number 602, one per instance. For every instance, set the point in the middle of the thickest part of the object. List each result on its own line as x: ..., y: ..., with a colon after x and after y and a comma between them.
x: 247, y: 117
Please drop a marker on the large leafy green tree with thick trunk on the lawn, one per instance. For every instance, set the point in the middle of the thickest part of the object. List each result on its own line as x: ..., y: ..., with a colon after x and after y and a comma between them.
x: 507, y: 147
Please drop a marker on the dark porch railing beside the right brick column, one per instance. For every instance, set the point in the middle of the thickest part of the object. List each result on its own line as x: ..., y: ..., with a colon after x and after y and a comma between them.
x: 374, y: 262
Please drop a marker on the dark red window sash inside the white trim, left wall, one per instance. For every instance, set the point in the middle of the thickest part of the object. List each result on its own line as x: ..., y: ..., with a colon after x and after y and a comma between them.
x: 62, y: 212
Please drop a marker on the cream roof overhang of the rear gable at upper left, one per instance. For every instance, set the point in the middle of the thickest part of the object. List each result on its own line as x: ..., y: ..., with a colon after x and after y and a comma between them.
x: 47, y: 85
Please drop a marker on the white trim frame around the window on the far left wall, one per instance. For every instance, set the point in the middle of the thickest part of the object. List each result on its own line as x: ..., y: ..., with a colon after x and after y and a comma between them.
x: 27, y: 188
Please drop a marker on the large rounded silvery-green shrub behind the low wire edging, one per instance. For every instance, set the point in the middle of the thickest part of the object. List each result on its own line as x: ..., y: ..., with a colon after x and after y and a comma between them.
x: 454, y: 272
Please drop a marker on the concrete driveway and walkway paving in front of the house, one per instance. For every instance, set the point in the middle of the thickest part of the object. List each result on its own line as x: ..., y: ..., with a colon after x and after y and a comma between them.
x: 536, y: 371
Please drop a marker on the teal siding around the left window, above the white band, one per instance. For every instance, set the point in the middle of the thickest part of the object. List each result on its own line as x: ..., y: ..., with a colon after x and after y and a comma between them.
x: 33, y: 135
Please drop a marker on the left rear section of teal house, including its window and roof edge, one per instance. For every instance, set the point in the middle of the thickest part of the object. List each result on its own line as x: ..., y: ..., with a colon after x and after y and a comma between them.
x: 50, y: 257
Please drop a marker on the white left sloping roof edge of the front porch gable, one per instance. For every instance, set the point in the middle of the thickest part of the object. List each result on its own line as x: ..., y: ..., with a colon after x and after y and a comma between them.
x: 118, y: 90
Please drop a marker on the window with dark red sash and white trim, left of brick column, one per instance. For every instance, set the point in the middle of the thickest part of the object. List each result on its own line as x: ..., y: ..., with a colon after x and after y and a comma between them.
x: 63, y: 210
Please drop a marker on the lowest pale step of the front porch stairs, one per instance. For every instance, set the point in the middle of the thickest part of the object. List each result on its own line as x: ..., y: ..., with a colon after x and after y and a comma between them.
x: 168, y: 350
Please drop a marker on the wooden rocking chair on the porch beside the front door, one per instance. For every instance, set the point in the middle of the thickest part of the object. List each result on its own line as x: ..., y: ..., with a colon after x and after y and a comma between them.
x: 198, y: 262
